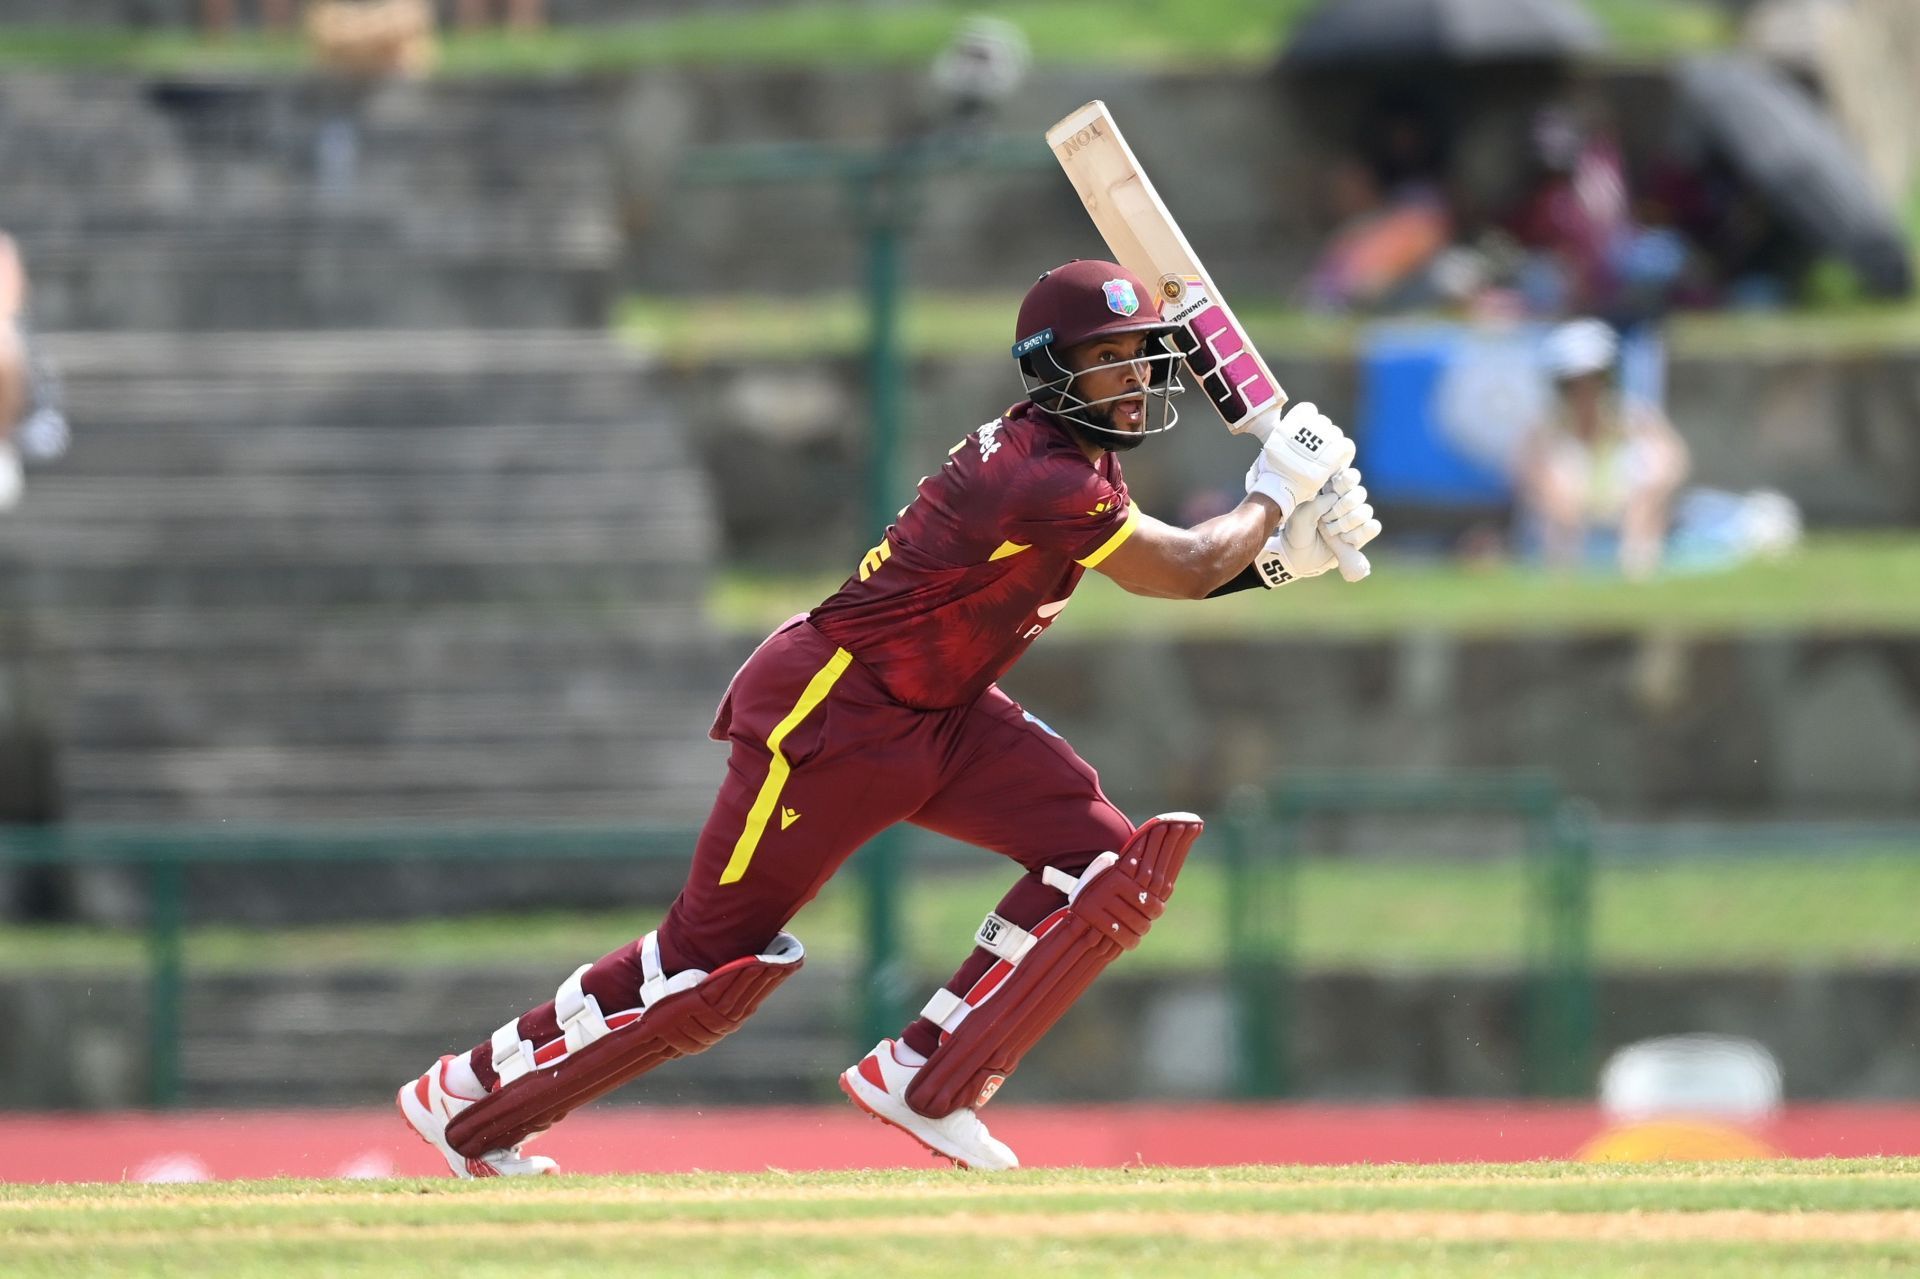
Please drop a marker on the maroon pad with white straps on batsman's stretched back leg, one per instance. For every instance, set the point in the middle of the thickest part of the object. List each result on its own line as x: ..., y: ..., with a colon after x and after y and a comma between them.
x: 679, y: 1017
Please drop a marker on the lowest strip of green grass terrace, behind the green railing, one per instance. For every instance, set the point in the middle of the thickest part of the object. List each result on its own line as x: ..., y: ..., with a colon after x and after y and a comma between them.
x: 1842, y: 907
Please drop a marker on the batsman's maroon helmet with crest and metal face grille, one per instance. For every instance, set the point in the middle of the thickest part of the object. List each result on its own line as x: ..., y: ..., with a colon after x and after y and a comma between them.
x: 1084, y: 302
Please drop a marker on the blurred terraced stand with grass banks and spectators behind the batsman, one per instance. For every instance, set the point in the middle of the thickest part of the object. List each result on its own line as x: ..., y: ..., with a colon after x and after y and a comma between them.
x: 416, y: 410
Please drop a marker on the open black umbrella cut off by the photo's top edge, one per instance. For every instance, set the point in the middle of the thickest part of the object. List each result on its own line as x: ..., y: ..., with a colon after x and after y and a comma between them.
x: 1358, y: 32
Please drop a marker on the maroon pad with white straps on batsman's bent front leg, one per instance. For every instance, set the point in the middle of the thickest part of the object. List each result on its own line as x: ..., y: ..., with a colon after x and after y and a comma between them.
x: 1040, y: 975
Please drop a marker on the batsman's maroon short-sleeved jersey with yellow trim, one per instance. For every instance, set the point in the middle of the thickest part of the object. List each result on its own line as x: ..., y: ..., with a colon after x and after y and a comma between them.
x: 982, y: 562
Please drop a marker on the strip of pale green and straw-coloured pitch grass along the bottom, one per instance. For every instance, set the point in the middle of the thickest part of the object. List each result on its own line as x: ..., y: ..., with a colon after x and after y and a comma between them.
x: 1564, y: 1220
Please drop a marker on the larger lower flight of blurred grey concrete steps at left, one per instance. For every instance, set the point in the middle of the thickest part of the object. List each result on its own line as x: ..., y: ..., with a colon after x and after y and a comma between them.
x: 337, y: 577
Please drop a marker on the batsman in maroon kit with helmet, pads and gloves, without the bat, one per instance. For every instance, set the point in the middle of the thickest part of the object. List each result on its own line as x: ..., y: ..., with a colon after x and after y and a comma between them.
x: 882, y: 706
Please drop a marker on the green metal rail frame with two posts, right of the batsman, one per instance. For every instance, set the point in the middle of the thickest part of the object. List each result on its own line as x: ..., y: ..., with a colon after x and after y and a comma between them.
x: 1264, y: 850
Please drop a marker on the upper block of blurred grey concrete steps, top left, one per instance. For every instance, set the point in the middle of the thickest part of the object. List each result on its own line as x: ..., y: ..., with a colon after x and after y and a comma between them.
x: 310, y: 205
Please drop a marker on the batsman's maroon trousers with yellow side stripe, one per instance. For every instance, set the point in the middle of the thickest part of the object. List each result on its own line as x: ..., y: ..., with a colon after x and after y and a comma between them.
x: 823, y: 760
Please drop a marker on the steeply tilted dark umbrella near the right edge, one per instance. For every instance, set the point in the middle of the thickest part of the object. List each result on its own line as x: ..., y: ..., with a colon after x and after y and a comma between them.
x: 1796, y: 158
